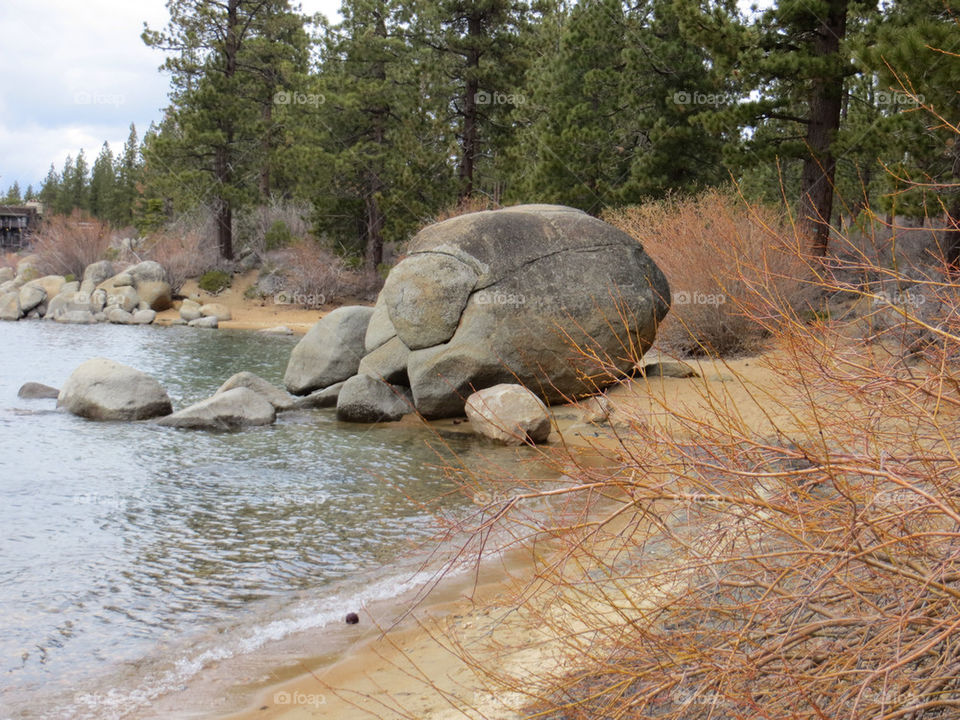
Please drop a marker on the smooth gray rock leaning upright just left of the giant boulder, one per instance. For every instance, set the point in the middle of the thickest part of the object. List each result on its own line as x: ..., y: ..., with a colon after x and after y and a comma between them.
x: 330, y: 352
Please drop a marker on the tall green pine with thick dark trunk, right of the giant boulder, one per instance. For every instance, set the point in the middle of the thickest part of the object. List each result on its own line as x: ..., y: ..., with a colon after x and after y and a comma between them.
x: 793, y: 61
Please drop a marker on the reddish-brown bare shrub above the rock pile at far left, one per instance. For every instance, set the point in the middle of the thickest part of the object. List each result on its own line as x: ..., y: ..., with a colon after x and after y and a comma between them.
x: 67, y: 244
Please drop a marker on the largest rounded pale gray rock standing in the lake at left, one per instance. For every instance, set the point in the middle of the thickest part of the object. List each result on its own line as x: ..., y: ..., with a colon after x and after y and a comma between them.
x: 101, y: 389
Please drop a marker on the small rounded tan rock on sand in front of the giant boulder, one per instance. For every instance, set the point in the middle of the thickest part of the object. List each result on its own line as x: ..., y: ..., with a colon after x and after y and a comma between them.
x: 508, y: 413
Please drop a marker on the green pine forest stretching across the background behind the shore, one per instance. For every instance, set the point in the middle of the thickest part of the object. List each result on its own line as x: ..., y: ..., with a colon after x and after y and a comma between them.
x: 403, y: 109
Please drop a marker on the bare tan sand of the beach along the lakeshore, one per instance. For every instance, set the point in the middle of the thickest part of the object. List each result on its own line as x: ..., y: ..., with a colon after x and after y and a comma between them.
x: 381, y: 668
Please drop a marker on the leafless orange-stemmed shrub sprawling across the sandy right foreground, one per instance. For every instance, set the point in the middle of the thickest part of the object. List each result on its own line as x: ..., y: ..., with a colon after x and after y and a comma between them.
x: 784, y: 548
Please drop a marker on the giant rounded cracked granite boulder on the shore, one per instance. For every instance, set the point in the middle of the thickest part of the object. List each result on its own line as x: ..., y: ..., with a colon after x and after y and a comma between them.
x: 541, y: 295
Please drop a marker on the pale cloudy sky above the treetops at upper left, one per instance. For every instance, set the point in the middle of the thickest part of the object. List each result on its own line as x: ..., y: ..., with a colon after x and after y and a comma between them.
x: 76, y: 74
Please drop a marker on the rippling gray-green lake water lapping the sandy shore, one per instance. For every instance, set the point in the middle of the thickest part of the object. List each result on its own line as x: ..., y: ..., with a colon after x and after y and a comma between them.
x: 125, y: 547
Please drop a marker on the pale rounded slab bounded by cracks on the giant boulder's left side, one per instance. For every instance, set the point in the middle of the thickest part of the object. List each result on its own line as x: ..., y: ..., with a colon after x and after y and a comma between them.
x: 425, y: 295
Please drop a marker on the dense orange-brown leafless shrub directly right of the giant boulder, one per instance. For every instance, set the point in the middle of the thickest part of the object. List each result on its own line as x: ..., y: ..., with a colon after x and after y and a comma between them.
x: 714, y: 250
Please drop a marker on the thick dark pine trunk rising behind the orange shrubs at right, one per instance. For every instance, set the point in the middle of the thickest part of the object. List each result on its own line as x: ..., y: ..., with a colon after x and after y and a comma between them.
x: 826, y: 102
